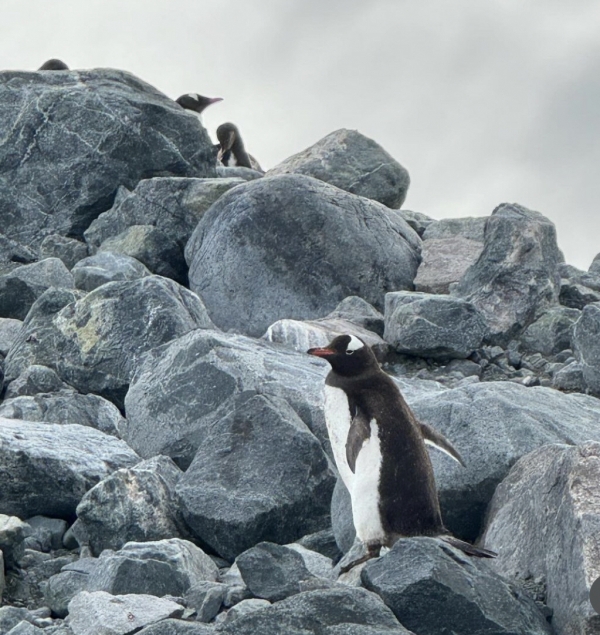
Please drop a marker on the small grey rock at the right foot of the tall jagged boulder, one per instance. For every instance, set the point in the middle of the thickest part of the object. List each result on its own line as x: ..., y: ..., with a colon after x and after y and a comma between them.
x: 551, y: 333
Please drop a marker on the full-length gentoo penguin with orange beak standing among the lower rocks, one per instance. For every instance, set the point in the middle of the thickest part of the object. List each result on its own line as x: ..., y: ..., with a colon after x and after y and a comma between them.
x: 379, y: 449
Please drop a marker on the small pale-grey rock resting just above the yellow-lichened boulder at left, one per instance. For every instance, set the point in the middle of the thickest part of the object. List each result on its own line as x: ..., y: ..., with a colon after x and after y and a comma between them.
x: 104, y: 267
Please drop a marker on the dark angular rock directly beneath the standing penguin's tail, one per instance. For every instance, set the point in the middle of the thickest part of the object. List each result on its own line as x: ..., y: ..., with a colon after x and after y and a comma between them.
x: 421, y: 573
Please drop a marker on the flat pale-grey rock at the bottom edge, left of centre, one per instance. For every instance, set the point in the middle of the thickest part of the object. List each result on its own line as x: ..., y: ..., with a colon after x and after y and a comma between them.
x: 117, y: 614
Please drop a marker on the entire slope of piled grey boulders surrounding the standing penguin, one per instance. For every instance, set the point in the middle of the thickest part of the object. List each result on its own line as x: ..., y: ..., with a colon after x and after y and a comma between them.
x: 164, y: 462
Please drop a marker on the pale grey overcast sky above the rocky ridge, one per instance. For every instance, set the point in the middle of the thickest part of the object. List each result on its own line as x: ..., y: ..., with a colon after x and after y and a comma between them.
x: 483, y: 102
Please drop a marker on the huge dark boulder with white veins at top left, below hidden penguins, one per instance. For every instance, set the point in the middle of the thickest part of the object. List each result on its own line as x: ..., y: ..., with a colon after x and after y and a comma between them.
x: 74, y: 137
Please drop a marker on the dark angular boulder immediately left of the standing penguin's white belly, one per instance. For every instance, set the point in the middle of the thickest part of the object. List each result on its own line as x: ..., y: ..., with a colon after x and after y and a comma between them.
x: 258, y: 475
